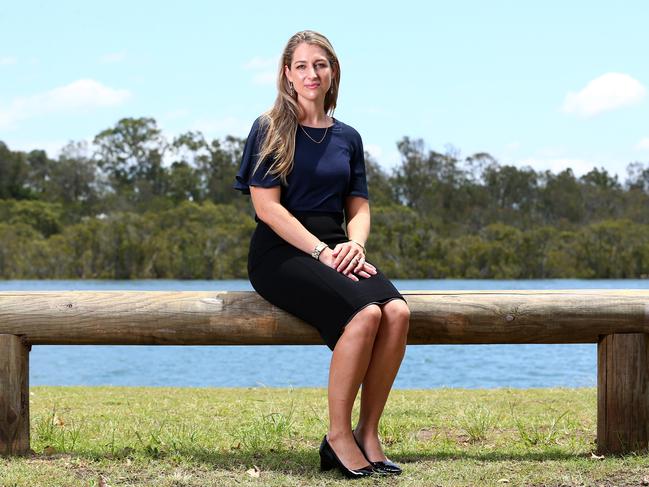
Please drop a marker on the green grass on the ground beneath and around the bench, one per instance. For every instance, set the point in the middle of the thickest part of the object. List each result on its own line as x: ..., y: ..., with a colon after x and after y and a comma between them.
x: 115, y: 436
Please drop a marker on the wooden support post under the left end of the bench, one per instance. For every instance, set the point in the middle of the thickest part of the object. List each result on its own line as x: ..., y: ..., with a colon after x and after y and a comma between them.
x: 14, y: 396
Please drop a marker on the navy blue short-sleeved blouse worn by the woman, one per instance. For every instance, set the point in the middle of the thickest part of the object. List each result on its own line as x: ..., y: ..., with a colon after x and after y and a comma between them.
x: 323, y: 174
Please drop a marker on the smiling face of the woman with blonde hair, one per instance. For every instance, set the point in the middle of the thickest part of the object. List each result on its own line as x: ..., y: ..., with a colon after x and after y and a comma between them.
x: 310, y: 71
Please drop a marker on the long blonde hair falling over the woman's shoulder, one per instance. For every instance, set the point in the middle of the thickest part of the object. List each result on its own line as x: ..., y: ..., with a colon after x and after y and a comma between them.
x: 279, y: 124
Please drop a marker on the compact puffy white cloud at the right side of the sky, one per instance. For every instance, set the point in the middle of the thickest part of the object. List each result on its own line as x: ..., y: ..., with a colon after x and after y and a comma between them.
x: 607, y: 92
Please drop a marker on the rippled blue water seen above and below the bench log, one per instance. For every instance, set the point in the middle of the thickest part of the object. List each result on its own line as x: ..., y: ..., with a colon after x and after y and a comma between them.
x: 425, y: 366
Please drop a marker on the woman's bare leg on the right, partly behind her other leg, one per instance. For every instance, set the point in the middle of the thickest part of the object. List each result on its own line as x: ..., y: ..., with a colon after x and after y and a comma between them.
x: 389, y: 349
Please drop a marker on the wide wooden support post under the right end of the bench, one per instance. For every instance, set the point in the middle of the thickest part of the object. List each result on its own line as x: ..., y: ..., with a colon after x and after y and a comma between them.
x: 623, y: 393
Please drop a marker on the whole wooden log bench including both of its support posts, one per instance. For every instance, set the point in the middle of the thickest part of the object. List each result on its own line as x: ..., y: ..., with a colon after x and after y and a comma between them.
x: 617, y: 320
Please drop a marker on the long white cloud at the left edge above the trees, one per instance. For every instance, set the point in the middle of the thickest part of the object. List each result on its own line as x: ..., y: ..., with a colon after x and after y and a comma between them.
x: 83, y: 94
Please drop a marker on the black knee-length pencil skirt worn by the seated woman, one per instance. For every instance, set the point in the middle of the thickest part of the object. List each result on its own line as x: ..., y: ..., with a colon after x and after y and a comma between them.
x: 295, y: 282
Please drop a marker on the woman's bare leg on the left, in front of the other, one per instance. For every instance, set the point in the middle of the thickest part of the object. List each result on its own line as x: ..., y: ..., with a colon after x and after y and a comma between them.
x: 349, y: 362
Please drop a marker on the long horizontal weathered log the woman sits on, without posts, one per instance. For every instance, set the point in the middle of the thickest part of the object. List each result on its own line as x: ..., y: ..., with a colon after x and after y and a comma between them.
x: 238, y: 318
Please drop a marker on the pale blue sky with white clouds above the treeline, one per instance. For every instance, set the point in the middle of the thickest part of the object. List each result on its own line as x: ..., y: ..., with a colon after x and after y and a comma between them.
x: 550, y: 85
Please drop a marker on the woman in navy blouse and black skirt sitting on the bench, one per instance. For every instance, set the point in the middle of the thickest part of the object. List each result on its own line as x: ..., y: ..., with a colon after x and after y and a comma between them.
x: 305, y: 172
